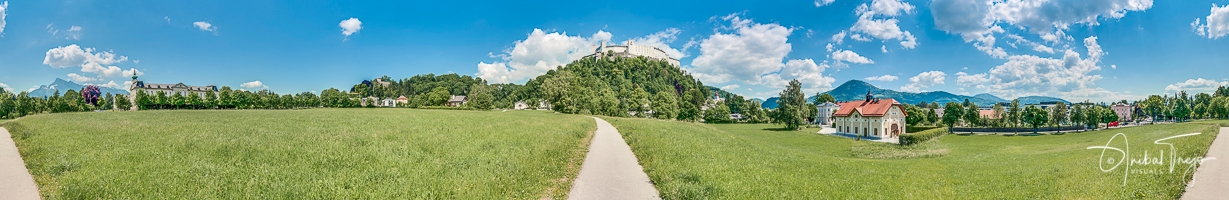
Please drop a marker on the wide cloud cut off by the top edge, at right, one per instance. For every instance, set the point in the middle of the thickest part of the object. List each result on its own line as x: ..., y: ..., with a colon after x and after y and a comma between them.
x: 978, y: 21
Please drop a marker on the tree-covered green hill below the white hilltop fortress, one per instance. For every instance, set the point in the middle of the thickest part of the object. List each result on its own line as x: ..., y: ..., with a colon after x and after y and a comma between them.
x: 611, y: 87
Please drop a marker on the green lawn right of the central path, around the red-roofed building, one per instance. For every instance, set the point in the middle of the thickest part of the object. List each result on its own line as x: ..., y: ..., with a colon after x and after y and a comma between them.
x: 742, y: 161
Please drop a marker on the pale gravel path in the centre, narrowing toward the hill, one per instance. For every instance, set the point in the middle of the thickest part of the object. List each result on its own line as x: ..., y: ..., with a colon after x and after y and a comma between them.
x: 610, y: 170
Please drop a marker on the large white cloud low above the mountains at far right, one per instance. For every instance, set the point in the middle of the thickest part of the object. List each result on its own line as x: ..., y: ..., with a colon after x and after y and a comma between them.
x: 1031, y: 75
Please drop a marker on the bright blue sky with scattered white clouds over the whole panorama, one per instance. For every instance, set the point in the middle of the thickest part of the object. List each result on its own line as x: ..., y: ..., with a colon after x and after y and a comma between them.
x: 1099, y: 51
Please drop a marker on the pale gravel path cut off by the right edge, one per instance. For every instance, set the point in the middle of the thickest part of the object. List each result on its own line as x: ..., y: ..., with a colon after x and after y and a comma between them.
x: 1212, y: 179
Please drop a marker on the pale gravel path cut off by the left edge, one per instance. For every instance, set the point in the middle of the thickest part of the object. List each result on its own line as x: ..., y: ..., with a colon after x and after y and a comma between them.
x: 15, y: 181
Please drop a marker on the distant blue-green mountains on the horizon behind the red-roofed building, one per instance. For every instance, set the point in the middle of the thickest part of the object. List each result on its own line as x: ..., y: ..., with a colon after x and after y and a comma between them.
x: 855, y: 90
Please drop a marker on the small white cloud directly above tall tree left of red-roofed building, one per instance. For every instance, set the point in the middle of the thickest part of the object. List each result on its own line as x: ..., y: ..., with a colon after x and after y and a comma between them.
x: 806, y: 72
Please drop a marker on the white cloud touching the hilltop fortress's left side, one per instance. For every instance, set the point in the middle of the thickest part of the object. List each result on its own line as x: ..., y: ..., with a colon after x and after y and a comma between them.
x: 539, y: 53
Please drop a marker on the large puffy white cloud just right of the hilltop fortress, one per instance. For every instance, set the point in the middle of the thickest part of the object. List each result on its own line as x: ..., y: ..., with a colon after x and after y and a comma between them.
x: 747, y: 55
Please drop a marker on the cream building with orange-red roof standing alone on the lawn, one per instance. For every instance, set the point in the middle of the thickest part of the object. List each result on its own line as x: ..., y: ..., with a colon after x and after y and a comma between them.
x: 871, y: 118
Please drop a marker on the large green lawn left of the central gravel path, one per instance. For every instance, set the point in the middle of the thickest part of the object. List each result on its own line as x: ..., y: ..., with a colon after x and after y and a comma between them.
x: 314, y: 154
